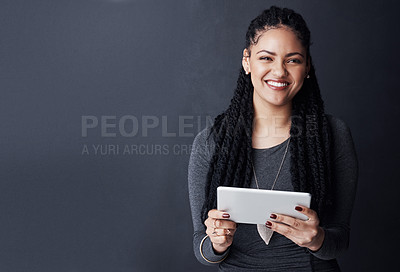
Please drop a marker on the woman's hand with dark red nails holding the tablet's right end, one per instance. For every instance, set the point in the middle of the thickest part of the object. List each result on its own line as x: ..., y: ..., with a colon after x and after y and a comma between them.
x: 304, y: 233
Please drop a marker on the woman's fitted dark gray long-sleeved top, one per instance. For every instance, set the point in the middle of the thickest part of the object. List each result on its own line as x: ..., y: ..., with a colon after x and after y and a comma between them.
x: 248, y: 251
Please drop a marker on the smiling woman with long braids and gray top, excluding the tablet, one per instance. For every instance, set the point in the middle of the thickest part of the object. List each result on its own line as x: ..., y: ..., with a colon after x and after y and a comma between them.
x: 275, y: 134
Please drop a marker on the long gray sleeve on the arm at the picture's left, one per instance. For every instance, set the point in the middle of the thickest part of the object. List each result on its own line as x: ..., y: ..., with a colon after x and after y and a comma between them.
x: 197, y: 177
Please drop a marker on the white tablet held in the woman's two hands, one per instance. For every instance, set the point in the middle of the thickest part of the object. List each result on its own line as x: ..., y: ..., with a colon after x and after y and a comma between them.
x: 254, y: 206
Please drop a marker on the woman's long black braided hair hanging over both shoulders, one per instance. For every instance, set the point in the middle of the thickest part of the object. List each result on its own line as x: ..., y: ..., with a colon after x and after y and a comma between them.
x: 311, y: 161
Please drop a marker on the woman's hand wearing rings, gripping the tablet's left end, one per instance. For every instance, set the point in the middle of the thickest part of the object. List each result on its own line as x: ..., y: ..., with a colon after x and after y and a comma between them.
x: 220, y: 230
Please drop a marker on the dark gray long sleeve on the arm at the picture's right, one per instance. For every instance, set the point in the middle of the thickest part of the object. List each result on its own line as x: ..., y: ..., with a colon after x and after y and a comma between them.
x: 345, y: 169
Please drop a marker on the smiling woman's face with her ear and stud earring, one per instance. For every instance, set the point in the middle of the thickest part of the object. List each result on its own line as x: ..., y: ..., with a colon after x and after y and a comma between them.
x: 277, y: 65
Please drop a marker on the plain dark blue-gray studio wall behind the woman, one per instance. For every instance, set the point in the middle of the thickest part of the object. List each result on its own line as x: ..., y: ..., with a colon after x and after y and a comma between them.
x: 62, y: 209
